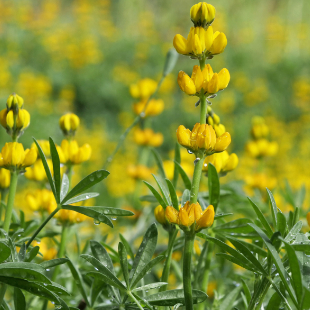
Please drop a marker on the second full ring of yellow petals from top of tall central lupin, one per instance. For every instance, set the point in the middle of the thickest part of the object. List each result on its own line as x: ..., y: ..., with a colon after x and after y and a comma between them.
x: 207, y: 80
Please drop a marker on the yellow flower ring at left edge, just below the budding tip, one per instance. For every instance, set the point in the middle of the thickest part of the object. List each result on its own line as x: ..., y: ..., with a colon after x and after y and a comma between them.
x: 14, y: 156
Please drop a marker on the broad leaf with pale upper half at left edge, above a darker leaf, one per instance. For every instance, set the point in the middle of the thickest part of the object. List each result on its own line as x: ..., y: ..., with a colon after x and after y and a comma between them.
x: 28, y: 271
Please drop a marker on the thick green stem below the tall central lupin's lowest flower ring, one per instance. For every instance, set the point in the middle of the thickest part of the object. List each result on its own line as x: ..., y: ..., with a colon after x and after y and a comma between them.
x: 187, y: 259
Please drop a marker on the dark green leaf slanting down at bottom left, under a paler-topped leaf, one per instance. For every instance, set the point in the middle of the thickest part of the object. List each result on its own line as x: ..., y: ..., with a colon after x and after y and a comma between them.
x: 31, y: 287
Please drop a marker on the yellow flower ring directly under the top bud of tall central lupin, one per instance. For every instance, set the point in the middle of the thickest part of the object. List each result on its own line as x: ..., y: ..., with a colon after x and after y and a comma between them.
x: 200, y: 42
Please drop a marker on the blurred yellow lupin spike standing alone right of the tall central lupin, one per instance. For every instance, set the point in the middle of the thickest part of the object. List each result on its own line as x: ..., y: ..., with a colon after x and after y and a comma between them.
x: 260, y: 146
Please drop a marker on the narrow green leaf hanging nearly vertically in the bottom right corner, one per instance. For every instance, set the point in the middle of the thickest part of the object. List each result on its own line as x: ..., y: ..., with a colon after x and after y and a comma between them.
x: 295, y: 271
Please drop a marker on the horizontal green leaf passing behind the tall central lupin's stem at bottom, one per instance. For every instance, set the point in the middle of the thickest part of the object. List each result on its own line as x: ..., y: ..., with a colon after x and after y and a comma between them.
x: 173, y: 297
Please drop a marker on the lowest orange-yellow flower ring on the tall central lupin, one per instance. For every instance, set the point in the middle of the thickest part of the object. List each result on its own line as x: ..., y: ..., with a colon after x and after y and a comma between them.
x: 191, y: 214
